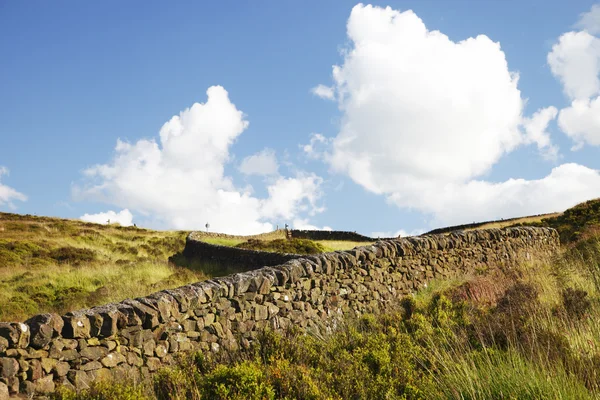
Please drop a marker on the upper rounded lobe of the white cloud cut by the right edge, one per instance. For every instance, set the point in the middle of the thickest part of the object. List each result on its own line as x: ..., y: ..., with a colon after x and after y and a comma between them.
x: 575, y: 61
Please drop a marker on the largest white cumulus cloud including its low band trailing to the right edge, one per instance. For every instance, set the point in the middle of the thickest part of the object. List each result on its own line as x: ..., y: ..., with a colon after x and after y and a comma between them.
x: 424, y: 118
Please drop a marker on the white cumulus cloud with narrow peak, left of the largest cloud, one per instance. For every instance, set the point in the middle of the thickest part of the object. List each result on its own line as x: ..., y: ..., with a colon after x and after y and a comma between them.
x: 179, y: 181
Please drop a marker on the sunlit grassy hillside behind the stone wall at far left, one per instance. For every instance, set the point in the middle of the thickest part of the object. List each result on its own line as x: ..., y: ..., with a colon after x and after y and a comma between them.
x: 57, y: 265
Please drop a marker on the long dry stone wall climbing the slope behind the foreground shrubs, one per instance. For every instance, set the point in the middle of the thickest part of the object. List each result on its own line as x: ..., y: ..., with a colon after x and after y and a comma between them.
x: 138, y: 336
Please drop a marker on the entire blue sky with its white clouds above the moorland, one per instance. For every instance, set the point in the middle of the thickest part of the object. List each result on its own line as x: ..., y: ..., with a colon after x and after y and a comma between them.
x: 419, y: 127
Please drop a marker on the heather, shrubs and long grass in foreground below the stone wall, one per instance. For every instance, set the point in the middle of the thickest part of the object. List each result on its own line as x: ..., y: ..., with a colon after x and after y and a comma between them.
x: 529, y: 333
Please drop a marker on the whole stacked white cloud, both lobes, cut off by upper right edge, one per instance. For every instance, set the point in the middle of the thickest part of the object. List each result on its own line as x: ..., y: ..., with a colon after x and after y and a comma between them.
x: 575, y: 62
